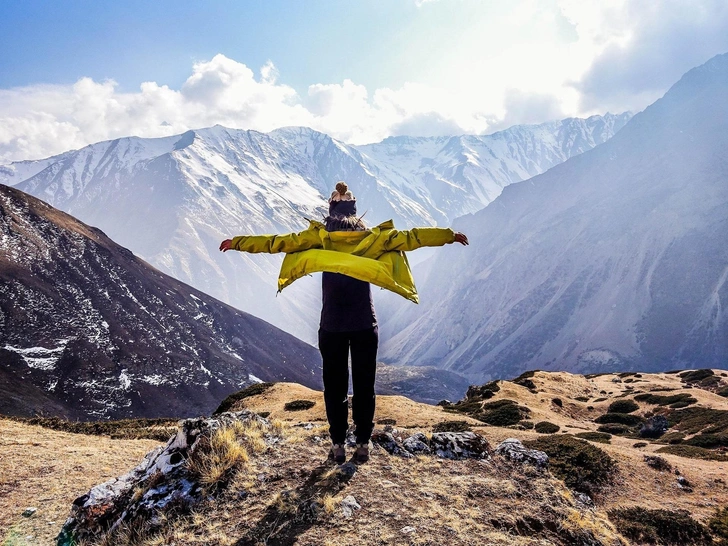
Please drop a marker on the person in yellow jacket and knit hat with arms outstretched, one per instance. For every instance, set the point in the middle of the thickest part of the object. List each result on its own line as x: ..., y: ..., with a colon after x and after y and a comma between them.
x: 351, y: 258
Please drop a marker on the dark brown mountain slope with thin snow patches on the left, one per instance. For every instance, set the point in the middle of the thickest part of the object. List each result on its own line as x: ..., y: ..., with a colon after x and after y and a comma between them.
x: 88, y: 330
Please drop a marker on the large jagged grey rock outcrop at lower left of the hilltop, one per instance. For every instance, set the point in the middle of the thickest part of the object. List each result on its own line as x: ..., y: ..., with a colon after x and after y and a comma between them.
x: 161, y: 479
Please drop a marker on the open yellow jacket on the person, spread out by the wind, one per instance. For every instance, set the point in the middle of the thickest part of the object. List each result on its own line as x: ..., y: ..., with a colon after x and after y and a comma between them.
x: 375, y: 255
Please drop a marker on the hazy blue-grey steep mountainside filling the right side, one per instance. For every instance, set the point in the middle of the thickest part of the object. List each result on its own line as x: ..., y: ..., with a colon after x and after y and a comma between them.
x: 615, y: 259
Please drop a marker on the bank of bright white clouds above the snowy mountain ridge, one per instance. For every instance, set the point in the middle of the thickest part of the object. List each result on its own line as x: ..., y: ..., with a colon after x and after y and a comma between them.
x: 572, y: 57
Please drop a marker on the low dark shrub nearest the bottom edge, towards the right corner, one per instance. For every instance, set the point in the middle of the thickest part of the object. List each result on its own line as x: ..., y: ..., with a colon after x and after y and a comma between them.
x: 642, y: 525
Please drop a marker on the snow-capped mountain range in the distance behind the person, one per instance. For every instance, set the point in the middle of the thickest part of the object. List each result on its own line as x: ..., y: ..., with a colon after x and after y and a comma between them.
x: 172, y: 200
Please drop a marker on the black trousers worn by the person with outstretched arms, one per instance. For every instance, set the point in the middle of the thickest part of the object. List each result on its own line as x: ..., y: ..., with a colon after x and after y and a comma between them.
x: 334, y: 347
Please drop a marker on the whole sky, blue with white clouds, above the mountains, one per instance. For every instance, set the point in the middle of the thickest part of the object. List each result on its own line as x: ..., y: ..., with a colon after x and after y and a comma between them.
x: 75, y: 72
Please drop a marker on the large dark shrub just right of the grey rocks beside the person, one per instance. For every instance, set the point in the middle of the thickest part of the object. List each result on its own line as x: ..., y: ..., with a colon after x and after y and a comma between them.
x: 581, y: 465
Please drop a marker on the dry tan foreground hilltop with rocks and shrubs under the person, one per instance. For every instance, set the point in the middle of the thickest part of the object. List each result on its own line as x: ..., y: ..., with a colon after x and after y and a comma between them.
x: 657, y: 476
